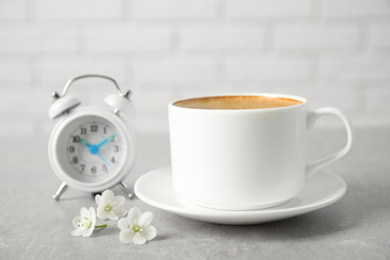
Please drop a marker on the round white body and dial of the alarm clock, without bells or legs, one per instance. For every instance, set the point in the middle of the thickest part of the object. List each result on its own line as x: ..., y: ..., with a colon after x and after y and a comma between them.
x: 91, y: 150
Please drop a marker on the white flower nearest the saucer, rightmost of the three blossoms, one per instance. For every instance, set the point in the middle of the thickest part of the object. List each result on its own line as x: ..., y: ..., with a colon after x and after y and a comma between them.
x: 136, y: 227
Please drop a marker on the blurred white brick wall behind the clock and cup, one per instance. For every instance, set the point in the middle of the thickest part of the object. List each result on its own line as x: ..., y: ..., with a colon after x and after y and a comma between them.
x: 334, y: 52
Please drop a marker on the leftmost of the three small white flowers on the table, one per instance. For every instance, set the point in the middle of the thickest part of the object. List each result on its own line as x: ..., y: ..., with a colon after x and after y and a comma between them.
x: 85, y: 223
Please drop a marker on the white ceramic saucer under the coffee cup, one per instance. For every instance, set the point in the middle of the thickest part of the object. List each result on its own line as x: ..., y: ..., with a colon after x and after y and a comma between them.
x: 321, y: 190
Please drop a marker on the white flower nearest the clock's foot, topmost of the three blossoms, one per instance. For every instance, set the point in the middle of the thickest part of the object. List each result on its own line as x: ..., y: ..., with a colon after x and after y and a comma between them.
x: 109, y: 206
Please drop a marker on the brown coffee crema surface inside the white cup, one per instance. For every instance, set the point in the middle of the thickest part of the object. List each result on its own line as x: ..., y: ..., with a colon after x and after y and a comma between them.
x: 237, y: 102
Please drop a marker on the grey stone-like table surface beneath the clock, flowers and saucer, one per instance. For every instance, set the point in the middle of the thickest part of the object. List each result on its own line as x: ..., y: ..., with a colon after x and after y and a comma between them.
x: 34, y: 226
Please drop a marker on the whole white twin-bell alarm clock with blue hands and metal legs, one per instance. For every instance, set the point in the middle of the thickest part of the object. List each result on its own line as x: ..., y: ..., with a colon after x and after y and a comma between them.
x: 91, y: 148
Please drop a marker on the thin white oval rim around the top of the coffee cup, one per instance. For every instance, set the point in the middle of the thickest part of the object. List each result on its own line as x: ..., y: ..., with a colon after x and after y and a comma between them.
x: 303, y: 100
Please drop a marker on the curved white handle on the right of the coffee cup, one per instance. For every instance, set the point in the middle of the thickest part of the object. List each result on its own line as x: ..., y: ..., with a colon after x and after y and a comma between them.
x: 311, y: 119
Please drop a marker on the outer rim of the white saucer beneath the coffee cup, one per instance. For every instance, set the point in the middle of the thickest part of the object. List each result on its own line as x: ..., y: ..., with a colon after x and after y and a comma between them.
x: 205, y: 212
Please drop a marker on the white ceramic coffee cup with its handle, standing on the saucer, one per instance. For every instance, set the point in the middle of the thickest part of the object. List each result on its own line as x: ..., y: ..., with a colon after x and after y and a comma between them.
x: 244, y: 159
